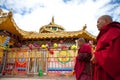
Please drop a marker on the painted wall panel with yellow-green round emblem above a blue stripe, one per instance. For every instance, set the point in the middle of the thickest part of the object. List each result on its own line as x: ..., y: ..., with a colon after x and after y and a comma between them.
x: 61, y: 62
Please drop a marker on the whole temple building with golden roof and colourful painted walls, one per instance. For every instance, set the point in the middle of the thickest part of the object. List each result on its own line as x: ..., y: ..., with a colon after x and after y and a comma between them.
x: 51, y: 50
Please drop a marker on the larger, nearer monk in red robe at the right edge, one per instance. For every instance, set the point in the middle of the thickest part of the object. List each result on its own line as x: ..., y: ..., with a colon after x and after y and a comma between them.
x: 107, y: 55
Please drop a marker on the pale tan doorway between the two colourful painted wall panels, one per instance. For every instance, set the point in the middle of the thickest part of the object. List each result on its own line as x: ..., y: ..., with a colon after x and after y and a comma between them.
x: 37, y: 61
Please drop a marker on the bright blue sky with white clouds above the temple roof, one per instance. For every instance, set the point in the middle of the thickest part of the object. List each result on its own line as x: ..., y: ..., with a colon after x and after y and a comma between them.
x: 30, y: 15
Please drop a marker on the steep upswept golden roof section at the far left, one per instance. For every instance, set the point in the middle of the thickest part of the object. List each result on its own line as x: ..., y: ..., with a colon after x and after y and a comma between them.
x: 7, y: 23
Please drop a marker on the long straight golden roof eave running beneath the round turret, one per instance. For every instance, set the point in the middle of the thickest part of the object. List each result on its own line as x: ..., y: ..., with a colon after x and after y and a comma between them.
x: 74, y: 34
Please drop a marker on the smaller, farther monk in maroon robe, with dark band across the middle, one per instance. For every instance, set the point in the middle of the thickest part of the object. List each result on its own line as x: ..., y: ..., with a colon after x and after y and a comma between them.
x: 82, y: 67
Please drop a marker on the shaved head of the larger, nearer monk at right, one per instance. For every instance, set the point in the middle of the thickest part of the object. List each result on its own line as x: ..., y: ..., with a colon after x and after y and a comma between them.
x: 103, y: 21
